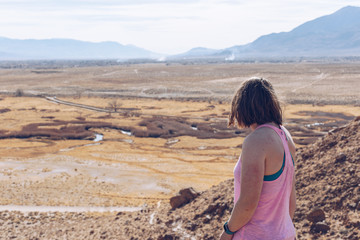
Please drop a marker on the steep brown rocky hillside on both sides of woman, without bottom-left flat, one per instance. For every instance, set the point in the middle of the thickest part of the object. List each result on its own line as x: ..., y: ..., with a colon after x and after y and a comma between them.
x: 328, y: 178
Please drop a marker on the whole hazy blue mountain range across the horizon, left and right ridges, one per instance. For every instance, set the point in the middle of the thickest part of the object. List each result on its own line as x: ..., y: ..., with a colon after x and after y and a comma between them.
x: 334, y: 35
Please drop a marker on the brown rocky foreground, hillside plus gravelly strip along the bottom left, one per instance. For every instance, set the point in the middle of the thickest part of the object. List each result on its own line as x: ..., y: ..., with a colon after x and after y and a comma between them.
x: 328, y: 186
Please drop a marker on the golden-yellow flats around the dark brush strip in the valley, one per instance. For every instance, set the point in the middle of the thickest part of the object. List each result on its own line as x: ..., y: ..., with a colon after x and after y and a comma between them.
x: 122, y: 169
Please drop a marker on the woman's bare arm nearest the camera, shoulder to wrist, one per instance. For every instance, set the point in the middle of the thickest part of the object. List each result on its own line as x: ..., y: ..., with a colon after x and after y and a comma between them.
x: 252, y: 174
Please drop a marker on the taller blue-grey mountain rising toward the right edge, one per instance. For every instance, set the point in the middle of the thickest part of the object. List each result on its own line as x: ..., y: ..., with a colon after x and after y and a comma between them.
x: 333, y: 35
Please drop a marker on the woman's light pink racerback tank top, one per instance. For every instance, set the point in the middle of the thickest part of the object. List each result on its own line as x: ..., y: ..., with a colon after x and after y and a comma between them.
x: 271, y: 220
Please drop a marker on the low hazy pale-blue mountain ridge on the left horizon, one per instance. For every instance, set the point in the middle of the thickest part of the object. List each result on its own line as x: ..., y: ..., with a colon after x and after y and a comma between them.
x: 14, y: 49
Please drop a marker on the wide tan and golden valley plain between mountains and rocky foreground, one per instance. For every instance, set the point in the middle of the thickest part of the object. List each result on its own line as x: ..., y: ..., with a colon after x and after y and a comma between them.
x: 133, y: 135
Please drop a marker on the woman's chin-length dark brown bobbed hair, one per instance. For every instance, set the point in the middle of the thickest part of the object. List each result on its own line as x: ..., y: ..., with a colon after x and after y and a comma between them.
x: 255, y: 102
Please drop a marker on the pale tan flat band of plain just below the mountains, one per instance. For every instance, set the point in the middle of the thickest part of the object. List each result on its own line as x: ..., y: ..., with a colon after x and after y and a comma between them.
x: 294, y: 82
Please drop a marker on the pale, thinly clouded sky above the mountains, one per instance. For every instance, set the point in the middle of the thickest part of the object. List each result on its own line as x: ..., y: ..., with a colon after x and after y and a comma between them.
x: 161, y: 26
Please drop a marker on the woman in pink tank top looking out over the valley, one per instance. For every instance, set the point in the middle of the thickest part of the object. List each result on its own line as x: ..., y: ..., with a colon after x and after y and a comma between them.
x: 264, y: 183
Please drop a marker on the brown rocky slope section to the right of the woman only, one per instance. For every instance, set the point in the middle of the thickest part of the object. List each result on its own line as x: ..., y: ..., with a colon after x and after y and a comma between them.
x: 328, y: 177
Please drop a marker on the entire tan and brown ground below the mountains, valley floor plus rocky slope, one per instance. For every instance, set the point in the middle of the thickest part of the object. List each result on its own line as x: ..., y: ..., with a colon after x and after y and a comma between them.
x: 168, y: 132
